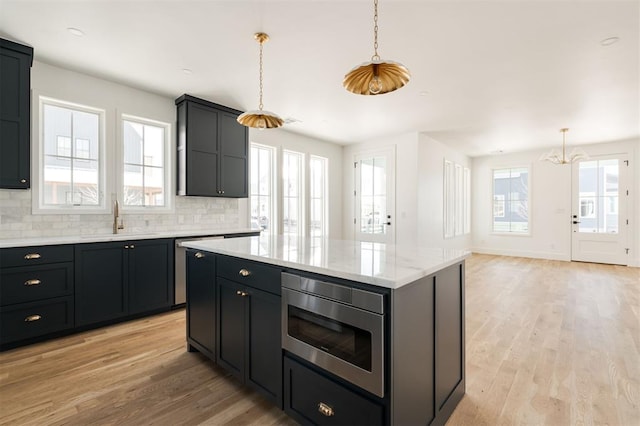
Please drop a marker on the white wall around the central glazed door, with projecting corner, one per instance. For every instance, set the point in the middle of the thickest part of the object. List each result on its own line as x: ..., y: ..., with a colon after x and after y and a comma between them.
x: 418, y: 189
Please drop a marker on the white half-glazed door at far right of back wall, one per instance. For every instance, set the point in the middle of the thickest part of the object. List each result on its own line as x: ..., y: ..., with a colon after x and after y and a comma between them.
x: 599, y: 210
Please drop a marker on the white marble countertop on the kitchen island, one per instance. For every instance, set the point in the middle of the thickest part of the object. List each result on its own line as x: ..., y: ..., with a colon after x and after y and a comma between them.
x: 384, y: 265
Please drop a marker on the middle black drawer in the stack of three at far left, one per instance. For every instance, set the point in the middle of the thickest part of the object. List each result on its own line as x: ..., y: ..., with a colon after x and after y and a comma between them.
x: 32, y: 283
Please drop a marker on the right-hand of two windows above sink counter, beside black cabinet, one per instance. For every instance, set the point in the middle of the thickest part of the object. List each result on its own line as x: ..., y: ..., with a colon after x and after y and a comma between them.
x: 145, y: 167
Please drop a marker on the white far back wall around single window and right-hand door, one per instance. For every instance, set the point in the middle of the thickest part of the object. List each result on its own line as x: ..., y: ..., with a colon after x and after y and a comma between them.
x: 550, y: 209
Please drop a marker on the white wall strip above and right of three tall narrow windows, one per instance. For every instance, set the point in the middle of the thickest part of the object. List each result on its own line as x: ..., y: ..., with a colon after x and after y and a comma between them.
x: 282, y: 139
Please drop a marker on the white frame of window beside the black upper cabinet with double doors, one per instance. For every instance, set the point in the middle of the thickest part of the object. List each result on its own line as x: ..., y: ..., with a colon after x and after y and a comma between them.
x: 168, y: 169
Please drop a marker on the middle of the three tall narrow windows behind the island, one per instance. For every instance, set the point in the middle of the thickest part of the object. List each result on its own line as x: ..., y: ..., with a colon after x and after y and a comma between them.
x: 292, y: 193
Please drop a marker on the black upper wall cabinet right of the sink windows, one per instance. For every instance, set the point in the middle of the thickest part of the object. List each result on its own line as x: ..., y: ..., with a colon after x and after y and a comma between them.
x: 212, y: 150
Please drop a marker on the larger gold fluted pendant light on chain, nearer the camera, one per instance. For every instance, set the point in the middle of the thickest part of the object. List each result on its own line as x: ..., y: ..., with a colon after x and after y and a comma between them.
x: 377, y: 76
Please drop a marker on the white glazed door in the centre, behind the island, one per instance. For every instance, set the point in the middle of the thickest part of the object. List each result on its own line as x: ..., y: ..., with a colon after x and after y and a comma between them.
x: 374, y: 174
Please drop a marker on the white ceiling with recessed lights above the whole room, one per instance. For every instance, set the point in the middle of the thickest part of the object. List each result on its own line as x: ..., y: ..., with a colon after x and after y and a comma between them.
x: 486, y: 75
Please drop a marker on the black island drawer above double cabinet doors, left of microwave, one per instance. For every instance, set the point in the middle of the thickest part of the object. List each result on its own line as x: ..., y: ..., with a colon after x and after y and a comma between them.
x: 258, y: 275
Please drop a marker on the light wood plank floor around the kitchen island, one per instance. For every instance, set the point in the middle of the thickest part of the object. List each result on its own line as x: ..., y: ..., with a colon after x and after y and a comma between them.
x: 548, y: 342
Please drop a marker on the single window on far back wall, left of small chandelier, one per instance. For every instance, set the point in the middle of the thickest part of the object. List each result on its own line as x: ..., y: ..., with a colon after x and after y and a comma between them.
x: 511, y: 200
